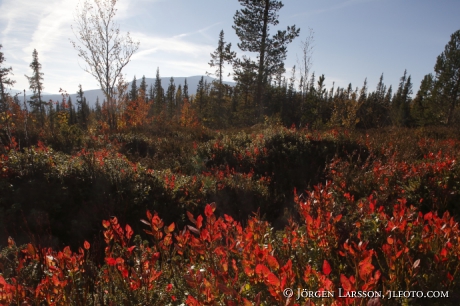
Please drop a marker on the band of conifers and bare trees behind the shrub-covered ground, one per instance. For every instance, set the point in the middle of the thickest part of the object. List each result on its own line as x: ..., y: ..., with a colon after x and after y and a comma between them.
x: 262, y: 91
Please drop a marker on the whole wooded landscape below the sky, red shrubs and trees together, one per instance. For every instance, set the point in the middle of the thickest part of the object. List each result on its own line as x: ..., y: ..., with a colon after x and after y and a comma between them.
x: 234, y: 194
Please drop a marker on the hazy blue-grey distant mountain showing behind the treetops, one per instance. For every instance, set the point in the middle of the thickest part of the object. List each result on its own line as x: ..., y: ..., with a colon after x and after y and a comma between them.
x: 92, y: 94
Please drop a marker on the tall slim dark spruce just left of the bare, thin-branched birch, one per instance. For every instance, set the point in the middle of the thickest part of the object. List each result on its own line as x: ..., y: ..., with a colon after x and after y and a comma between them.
x: 36, y: 85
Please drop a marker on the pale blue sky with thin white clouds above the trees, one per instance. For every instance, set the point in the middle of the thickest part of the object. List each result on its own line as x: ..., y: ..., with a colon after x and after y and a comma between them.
x: 353, y: 39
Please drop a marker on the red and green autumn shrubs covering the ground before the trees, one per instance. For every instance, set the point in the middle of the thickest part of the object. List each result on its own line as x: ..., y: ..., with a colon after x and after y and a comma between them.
x: 368, y: 211
